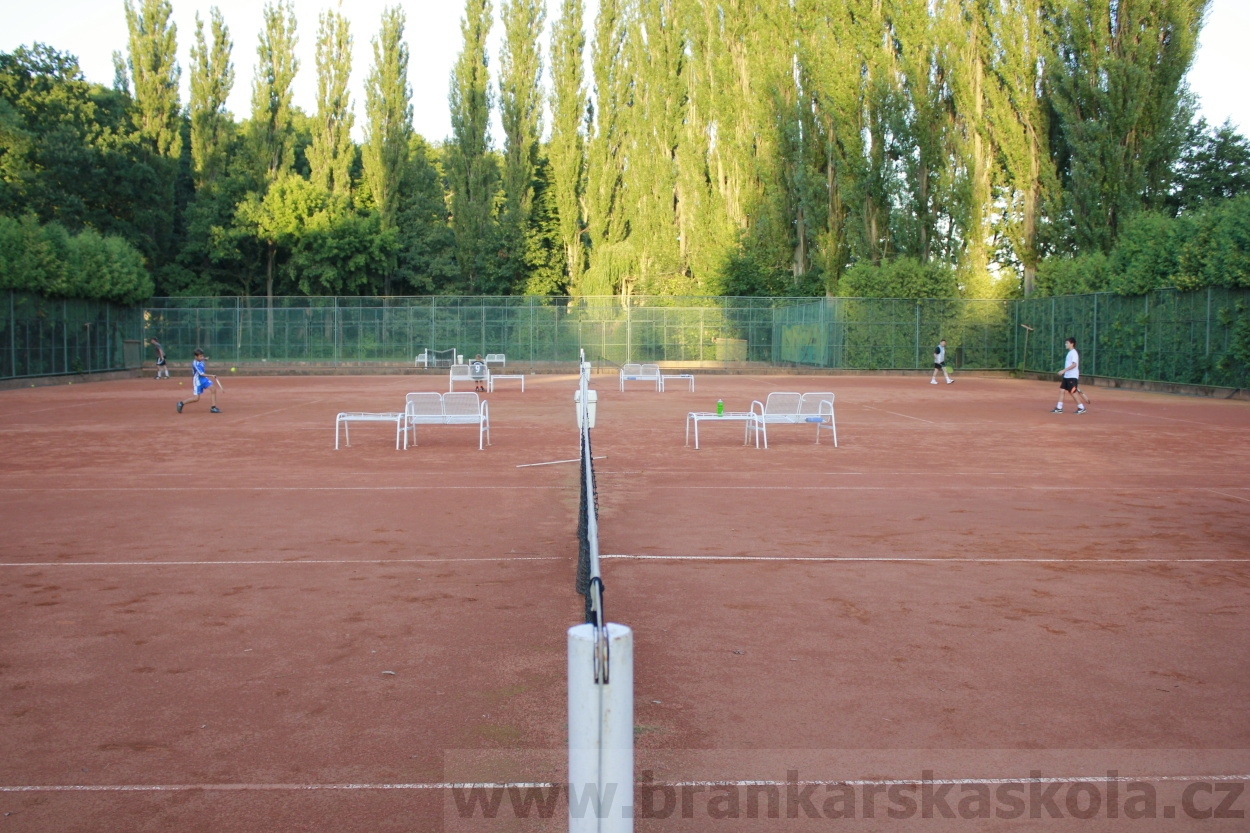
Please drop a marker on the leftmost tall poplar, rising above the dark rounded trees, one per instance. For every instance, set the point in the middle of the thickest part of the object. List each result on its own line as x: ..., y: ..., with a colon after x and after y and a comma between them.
x: 154, y: 72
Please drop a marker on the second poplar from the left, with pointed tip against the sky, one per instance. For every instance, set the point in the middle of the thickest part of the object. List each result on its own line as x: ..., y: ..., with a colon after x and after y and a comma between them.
x: 212, y: 81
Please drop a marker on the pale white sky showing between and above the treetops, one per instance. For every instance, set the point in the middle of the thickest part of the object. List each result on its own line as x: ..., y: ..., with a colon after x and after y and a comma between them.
x: 93, y: 29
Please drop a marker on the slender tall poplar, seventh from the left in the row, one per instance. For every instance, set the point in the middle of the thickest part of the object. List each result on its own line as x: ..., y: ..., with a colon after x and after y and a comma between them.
x: 521, y: 103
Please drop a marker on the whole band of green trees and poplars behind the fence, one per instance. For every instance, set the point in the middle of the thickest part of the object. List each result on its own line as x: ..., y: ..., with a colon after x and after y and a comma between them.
x: 667, y: 147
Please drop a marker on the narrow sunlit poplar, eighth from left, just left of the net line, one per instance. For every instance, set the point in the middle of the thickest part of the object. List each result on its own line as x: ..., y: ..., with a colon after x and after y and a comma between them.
x: 567, y: 149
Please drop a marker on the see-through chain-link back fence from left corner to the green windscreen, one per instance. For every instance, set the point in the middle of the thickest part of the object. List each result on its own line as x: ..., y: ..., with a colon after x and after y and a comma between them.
x: 343, y: 331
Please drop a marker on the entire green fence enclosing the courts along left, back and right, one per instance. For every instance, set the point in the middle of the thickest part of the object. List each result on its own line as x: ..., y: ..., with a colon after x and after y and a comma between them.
x: 1168, y: 336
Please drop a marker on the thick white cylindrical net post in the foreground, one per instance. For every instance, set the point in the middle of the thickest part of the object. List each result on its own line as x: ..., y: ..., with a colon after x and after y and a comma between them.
x: 601, y: 732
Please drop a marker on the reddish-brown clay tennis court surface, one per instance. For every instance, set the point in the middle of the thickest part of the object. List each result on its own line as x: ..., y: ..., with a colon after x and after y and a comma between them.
x: 221, y: 623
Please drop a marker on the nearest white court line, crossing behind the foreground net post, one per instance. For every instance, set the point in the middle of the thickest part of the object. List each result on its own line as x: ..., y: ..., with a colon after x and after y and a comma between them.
x: 548, y: 785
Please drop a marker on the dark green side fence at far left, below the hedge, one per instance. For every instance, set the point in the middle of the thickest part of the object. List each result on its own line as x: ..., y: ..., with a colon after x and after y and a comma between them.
x: 47, y: 338
